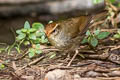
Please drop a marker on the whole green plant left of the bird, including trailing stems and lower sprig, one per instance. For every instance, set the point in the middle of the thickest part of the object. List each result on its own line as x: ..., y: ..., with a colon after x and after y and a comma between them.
x: 30, y: 36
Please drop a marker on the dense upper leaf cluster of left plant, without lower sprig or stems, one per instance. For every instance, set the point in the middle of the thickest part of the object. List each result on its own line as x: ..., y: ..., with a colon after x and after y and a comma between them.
x: 33, y: 35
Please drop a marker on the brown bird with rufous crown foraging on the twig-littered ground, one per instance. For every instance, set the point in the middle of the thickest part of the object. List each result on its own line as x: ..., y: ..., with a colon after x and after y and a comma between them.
x: 67, y: 34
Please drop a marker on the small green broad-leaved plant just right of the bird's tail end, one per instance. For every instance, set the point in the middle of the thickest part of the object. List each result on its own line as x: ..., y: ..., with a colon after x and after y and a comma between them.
x: 92, y: 38
